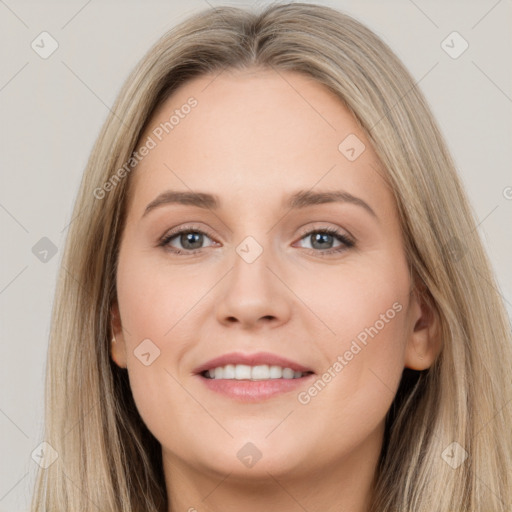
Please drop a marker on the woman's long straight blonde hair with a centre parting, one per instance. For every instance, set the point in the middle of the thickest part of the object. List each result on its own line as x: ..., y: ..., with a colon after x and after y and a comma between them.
x: 108, y: 460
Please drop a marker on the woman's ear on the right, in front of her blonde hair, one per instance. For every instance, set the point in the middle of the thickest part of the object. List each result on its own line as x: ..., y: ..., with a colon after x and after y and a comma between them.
x: 424, y: 343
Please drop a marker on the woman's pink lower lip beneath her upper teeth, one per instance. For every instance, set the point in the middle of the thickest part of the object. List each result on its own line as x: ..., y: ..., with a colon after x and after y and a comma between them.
x: 255, y: 390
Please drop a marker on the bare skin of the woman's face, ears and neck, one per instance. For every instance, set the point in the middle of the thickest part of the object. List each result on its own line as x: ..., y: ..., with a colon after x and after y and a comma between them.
x: 253, y: 139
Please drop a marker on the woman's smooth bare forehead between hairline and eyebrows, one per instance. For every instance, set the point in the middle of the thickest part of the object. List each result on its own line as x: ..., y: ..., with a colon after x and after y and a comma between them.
x: 256, y: 134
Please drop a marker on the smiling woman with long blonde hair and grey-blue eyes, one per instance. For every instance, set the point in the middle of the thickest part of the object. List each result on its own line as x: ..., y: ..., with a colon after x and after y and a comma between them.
x: 202, y: 357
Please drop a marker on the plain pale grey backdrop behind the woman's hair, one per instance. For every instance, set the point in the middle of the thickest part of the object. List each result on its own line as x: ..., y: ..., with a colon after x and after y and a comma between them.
x: 51, y: 111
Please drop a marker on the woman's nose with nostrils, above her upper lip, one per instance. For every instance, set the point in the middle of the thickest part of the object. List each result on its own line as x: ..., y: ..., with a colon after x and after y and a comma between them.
x: 253, y: 295
